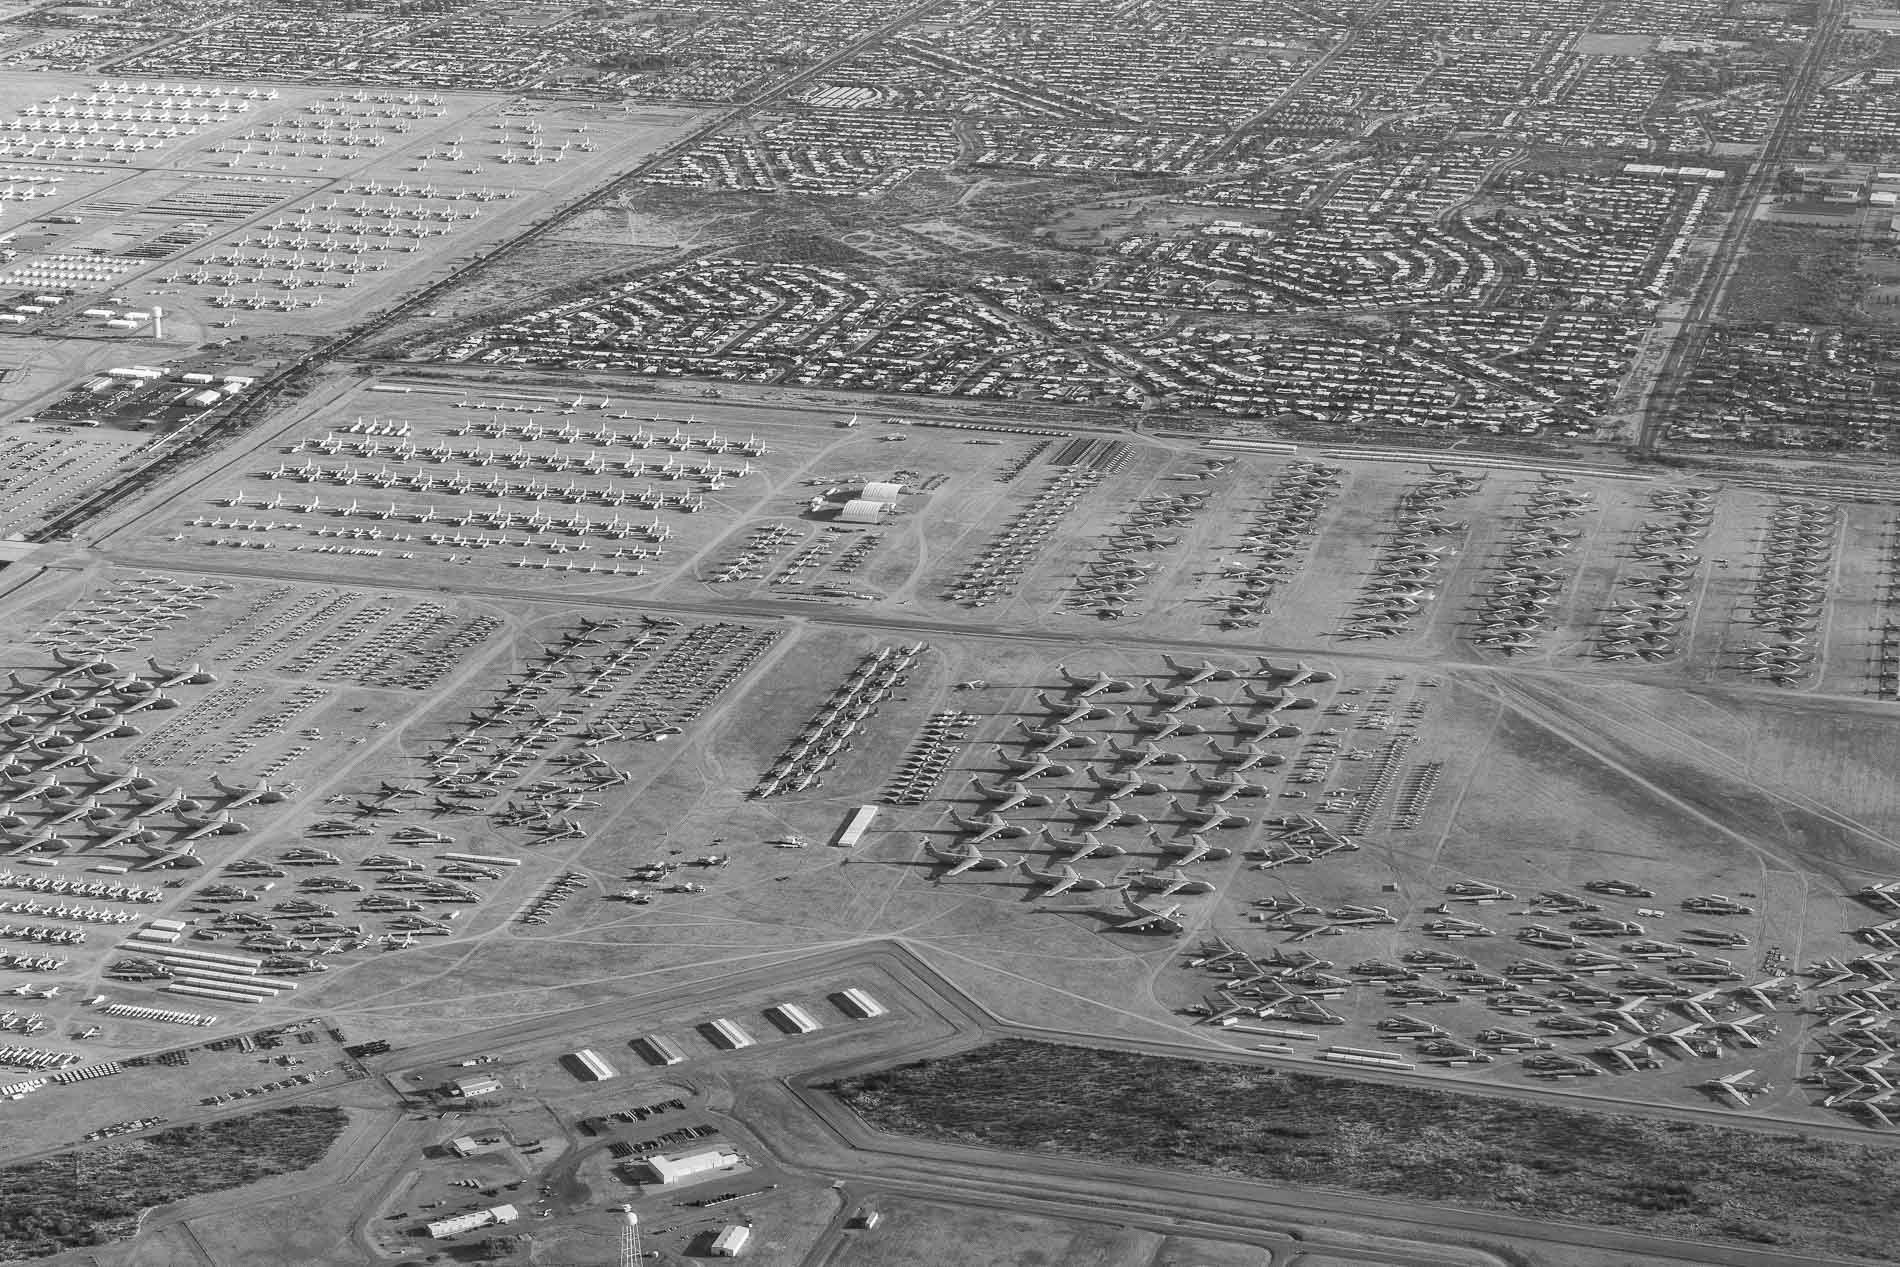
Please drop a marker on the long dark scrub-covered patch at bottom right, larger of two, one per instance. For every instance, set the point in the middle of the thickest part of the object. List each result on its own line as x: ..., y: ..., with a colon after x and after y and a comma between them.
x: 1489, y: 1154
